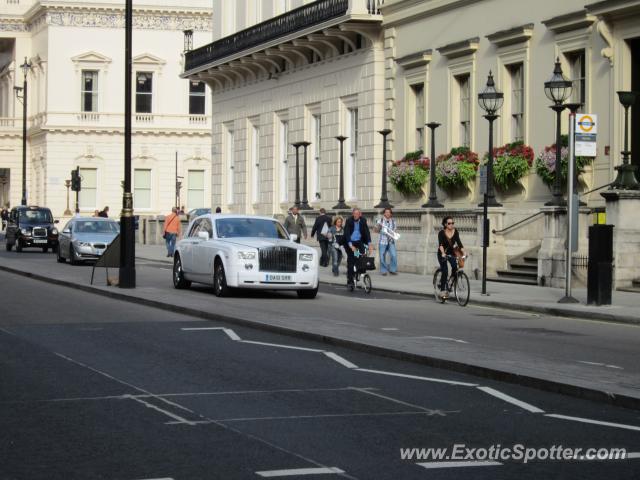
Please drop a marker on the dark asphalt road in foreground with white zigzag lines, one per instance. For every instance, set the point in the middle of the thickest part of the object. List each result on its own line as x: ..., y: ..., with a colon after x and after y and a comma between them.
x: 95, y: 388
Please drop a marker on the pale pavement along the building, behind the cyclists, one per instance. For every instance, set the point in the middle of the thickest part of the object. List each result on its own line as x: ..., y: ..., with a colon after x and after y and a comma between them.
x: 624, y: 306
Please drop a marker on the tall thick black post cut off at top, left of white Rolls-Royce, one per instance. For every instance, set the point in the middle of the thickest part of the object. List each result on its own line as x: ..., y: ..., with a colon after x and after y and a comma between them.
x: 127, y: 272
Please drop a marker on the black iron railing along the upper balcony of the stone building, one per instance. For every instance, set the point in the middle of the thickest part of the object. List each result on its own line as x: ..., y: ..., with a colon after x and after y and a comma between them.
x: 280, y: 26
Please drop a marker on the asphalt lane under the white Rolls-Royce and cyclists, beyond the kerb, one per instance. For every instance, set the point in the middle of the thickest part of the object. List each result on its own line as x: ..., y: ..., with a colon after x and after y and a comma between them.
x: 588, y: 354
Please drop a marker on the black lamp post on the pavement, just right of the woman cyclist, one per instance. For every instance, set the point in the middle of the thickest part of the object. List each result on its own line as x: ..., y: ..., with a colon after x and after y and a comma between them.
x: 490, y: 100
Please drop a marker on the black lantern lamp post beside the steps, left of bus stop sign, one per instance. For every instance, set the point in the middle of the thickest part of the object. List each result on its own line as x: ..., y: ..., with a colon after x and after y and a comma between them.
x: 557, y: 89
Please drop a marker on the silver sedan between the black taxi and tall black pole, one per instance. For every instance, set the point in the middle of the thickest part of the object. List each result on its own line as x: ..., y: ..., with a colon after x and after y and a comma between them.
x: 86, y: 238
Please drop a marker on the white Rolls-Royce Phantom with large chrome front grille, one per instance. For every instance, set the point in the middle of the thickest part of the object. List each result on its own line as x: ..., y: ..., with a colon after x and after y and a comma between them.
x: 243, y: 251
